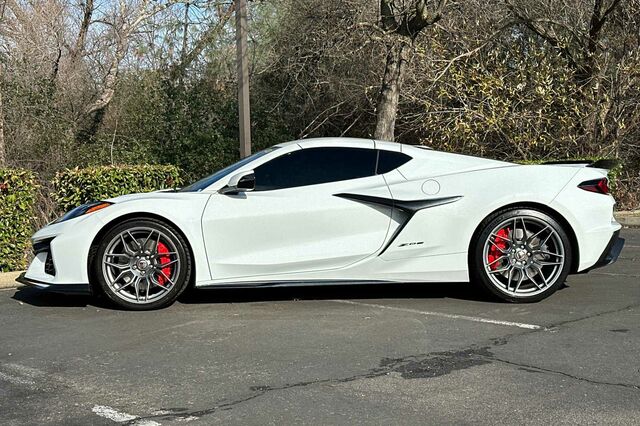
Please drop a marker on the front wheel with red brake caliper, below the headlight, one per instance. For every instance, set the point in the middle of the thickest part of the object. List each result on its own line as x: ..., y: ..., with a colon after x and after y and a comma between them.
x: 142, y: 264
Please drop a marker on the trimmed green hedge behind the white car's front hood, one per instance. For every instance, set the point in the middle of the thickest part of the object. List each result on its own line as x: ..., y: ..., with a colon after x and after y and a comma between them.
x: 73, y: 187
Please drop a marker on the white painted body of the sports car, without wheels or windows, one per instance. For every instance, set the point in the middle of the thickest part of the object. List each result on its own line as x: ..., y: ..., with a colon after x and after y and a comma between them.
x: 334, y: 232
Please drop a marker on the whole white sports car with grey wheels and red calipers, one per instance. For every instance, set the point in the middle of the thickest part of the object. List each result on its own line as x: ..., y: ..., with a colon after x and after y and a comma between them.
x: 338, y: 211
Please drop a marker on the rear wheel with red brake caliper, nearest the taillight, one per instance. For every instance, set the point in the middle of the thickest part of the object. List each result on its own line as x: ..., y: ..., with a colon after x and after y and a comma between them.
x: 517, y: 258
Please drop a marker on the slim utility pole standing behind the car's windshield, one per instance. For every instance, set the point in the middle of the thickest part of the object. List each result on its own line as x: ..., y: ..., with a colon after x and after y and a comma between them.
x: 243, y: 78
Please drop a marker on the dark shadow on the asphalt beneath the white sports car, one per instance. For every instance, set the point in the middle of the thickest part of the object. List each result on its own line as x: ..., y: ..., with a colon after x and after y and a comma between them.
x: 460, y: 291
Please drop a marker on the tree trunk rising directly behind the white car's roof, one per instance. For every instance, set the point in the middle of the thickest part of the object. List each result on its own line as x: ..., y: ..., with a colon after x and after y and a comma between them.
x: 394, y: 71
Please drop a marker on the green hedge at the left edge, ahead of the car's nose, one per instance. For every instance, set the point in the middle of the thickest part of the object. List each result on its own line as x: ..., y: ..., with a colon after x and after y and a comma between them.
x: 18, y: 189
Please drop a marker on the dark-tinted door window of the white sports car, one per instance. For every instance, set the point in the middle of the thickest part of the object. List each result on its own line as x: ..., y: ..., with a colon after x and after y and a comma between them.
x: 312, y: 166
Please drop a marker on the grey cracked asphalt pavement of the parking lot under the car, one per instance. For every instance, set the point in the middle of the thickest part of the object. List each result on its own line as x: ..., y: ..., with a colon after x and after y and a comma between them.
x: 385, y: 354
